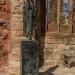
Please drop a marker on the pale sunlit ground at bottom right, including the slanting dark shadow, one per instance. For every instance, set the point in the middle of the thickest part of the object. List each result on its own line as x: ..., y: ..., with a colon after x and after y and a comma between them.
x: 59, y: 70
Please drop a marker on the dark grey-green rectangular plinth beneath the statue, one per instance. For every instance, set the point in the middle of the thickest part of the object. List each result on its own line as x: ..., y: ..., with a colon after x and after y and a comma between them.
x: 30, y: 57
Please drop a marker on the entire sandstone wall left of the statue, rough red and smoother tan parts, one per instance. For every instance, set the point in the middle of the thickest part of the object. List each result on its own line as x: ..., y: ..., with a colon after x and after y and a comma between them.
x: 11, y: 15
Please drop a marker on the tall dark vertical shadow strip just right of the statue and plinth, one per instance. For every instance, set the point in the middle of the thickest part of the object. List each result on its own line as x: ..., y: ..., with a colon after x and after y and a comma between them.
x: 42, y: 30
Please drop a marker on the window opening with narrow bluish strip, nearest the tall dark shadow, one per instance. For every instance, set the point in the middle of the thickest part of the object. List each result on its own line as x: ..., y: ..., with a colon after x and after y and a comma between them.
x: 52, y: 16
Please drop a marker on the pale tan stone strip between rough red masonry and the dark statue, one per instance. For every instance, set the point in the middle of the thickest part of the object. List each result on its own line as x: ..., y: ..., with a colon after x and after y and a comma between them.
x: 16, y: 34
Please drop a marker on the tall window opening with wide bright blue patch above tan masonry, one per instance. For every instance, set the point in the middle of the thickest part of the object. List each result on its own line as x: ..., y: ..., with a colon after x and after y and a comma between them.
x: 64, y: 17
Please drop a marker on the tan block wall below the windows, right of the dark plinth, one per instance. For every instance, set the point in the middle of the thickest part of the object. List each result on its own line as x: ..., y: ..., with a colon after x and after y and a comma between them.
x: 54, y: 48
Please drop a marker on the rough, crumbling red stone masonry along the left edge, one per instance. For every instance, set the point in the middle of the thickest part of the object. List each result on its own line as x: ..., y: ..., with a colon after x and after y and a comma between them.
x: 5, y: 29
